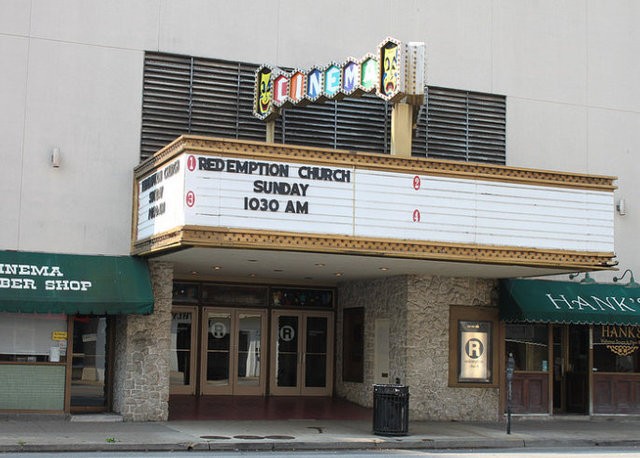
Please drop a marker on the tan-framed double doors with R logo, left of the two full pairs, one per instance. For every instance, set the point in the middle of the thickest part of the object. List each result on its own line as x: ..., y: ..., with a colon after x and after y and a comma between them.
x: 232, y: 345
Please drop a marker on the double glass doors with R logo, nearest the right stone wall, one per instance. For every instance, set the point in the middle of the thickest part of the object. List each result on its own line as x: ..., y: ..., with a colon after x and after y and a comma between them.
x: 302, y: 353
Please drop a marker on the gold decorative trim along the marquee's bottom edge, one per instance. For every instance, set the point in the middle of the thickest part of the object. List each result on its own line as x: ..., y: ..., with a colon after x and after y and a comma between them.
x: 196, y: 236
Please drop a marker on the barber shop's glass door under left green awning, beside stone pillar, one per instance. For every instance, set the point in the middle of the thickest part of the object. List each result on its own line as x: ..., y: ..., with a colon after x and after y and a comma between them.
x: 90, y: 364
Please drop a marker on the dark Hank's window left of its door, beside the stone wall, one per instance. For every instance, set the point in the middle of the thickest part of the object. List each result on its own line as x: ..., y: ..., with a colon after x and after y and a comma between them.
x: 529, y: 344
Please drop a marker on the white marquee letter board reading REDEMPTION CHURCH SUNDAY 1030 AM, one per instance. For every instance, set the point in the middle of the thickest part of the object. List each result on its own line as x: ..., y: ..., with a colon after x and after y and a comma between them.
x: 305, y: 198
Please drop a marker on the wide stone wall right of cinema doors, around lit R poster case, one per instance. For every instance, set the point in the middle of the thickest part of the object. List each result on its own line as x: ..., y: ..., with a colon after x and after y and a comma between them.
x: 418, y: 307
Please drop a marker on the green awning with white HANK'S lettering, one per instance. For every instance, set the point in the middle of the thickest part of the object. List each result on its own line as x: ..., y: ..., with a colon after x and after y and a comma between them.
x: 544, y: 301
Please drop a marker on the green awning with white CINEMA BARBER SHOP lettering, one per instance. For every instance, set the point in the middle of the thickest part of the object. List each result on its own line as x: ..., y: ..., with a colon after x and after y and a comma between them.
x: 74, y: 284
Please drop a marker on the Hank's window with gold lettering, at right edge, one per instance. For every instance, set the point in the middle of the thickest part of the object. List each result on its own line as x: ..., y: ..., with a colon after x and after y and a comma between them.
x: 615, y: 348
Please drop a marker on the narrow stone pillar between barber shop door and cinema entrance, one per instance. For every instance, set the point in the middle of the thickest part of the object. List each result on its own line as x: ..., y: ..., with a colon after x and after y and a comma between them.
x: 141, y: 379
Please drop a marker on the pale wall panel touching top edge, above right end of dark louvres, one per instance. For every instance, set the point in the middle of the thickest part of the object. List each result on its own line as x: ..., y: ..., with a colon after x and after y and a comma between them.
x: 539, y: 50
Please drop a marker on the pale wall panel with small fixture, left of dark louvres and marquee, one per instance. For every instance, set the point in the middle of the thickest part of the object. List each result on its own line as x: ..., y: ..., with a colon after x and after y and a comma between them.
x: 86, y: 101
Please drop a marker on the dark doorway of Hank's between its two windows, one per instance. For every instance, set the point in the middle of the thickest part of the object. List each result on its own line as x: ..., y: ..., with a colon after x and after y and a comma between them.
x: 571, y: 369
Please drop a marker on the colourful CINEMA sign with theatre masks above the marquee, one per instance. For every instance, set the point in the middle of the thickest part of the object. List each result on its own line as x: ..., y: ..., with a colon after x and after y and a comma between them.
x: 397, y: 70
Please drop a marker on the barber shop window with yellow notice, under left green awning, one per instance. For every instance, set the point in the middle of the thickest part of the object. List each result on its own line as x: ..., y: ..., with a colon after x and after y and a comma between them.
x: 32, y: 337
